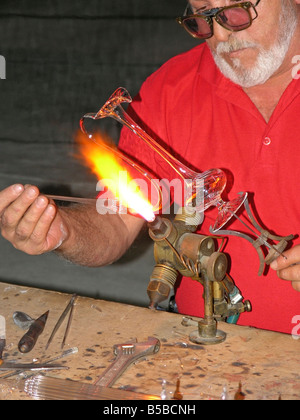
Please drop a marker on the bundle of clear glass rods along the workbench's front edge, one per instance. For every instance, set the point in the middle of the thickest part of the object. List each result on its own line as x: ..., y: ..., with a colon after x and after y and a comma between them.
x: 48, y: 388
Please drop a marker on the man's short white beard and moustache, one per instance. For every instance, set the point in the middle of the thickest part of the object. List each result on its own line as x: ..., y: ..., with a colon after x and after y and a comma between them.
x: 268, y: 61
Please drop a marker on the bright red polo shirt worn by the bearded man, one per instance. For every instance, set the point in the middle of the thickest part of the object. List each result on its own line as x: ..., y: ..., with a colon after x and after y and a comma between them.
x: 209, y: 122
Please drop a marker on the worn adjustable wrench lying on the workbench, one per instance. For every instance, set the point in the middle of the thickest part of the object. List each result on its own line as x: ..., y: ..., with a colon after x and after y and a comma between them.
x: 126, y: 355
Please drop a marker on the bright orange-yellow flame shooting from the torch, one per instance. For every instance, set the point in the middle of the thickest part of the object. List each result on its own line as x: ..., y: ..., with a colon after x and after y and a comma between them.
x: 103, y: 160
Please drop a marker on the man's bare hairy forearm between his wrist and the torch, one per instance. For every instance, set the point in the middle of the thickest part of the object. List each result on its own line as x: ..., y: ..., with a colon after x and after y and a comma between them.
x: 95, y: 240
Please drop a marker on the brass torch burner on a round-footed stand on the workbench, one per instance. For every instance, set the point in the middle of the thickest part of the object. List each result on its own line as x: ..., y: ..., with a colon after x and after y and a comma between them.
x: 178, y: 250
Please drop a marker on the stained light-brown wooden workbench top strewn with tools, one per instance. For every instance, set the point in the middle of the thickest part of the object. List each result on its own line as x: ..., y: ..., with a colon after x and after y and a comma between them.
x: 266, y: 364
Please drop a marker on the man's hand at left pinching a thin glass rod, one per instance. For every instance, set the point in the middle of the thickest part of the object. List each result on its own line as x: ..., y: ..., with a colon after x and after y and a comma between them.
x: 29, y: 221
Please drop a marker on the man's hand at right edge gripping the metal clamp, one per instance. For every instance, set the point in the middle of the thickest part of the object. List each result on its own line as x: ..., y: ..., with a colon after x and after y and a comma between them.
x: 289, y: 268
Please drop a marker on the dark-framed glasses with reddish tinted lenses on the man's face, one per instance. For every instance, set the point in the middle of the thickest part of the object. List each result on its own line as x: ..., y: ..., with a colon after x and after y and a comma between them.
x: 235, y: 18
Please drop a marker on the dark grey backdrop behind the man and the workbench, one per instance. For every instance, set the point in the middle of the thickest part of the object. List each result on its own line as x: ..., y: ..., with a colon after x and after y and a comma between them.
x: 63, y: 59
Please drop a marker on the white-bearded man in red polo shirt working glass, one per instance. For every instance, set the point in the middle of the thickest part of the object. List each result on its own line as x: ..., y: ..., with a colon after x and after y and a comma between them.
x: 230, y: 103
